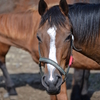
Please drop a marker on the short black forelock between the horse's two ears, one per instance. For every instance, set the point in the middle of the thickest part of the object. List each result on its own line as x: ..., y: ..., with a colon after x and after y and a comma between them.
x: 54, y: 17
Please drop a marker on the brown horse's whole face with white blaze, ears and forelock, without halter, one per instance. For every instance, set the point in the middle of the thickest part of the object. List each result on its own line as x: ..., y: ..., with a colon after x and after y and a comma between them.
x: 54, y: 41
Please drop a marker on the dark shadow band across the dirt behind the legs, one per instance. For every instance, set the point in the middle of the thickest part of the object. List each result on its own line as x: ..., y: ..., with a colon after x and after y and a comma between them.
x: 34, y: 80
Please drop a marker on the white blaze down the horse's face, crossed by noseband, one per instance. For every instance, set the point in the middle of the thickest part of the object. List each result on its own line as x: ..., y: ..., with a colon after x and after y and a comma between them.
x: 52, y: 52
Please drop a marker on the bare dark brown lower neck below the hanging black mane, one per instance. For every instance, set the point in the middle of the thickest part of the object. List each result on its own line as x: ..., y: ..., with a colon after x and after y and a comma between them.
x: 92, y: 50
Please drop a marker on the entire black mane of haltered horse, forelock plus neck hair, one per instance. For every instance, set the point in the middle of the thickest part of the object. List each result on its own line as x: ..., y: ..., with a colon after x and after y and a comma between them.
x: 84, y: 17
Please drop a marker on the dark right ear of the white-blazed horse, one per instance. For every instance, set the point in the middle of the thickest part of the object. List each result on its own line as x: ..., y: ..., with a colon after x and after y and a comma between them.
x: 64, y: 6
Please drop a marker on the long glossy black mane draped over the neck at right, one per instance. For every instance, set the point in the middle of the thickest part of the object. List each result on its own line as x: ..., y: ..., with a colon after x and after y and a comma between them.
x: 85, y: 19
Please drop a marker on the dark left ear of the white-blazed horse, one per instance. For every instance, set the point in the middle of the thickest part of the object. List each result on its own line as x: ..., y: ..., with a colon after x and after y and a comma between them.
x: 42, y: 8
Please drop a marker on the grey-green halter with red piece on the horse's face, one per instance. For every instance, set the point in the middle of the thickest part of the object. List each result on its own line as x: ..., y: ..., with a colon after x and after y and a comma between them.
x: 59, y: 68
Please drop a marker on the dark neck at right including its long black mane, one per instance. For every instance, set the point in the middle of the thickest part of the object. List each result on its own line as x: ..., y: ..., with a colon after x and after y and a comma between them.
x: 85, y: 19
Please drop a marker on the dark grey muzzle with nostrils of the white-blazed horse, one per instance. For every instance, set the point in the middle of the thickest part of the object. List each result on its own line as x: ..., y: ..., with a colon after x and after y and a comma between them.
x: 52, y: 86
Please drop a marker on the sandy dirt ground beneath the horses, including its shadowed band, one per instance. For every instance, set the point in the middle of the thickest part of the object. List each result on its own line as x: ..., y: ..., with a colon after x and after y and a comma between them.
x: 25, y: 74
